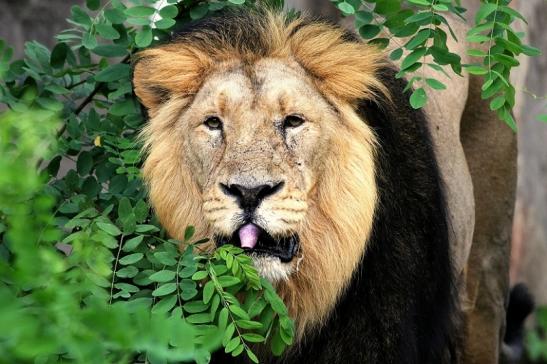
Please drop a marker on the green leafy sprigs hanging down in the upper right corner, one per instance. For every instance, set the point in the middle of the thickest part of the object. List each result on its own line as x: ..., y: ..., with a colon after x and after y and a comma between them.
x: 424, y: 29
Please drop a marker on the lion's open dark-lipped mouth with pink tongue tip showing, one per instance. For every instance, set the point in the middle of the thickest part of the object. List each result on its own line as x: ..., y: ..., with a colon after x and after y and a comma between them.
x: 256, y: 241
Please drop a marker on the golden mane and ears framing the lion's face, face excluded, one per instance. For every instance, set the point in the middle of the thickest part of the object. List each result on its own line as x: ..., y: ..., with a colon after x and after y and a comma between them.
x: 341, y: 210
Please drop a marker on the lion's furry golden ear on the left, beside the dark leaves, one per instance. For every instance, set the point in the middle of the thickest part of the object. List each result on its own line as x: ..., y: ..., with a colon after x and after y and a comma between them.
x: 159, y: 73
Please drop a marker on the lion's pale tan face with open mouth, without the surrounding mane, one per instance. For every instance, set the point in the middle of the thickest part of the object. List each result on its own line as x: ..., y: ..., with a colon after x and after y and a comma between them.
x: 255, y: 139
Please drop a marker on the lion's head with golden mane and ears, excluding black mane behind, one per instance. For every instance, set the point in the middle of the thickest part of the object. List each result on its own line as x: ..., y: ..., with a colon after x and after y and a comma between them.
x: 253, y: 138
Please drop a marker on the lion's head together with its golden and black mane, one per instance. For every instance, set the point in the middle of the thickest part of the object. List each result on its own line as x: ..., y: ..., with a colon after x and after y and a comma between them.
x: 291, y: 138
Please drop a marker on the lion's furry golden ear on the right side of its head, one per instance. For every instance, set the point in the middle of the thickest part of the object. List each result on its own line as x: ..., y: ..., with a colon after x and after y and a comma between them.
x: 344, y: 68
